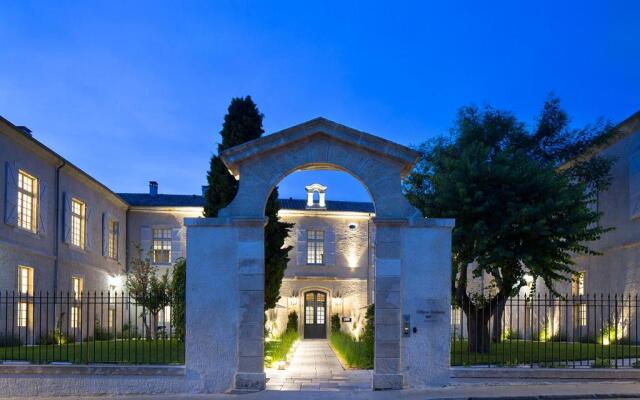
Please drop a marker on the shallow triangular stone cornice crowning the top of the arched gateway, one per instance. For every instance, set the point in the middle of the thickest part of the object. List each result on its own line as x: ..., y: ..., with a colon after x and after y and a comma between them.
x: 318, y: 128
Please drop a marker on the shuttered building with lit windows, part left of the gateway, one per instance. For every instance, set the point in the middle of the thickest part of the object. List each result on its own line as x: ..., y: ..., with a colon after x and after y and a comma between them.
x: 64, y: 232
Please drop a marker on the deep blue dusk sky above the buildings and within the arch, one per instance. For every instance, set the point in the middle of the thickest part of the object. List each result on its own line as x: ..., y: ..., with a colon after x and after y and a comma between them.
x: 137, y: 91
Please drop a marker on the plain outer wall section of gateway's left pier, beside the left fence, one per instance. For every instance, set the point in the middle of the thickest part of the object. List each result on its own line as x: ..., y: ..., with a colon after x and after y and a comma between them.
x: 212, y: 306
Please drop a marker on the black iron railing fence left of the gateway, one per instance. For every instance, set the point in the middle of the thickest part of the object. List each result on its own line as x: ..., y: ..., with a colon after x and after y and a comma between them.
x: 85, y: 328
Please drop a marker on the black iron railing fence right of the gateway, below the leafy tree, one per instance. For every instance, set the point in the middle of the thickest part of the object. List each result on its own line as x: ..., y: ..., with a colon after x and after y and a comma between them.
x: 549, y: 332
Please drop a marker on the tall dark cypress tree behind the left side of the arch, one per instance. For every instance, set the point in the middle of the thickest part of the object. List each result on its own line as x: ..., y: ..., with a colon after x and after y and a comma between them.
x: 242, y: 123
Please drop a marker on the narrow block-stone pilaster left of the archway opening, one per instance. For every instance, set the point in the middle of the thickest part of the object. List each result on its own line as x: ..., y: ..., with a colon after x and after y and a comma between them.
x: 250, y: 375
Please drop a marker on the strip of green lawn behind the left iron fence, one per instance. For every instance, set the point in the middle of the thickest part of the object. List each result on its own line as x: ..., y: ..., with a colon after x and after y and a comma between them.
x: 161, y: 351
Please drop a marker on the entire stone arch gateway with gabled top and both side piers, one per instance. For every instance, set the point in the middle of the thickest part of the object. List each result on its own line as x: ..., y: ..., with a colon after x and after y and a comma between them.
x: 226, y: 262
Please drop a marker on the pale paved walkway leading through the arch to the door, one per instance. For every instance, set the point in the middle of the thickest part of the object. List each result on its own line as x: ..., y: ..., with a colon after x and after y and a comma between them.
x: 315, y: 367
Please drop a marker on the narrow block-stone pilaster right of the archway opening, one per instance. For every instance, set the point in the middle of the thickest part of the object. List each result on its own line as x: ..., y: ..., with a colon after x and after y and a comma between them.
x: 387, y: 363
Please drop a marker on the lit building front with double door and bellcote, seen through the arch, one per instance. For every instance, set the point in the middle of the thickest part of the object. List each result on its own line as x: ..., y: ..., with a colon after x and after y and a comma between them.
x: 330, y: 270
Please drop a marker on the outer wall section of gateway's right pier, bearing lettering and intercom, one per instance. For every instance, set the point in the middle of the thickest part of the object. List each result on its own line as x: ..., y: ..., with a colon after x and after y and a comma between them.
x: 426, y: 301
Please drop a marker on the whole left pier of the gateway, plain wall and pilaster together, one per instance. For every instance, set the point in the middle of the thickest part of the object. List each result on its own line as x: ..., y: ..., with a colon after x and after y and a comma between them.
x: 225, y: 297
